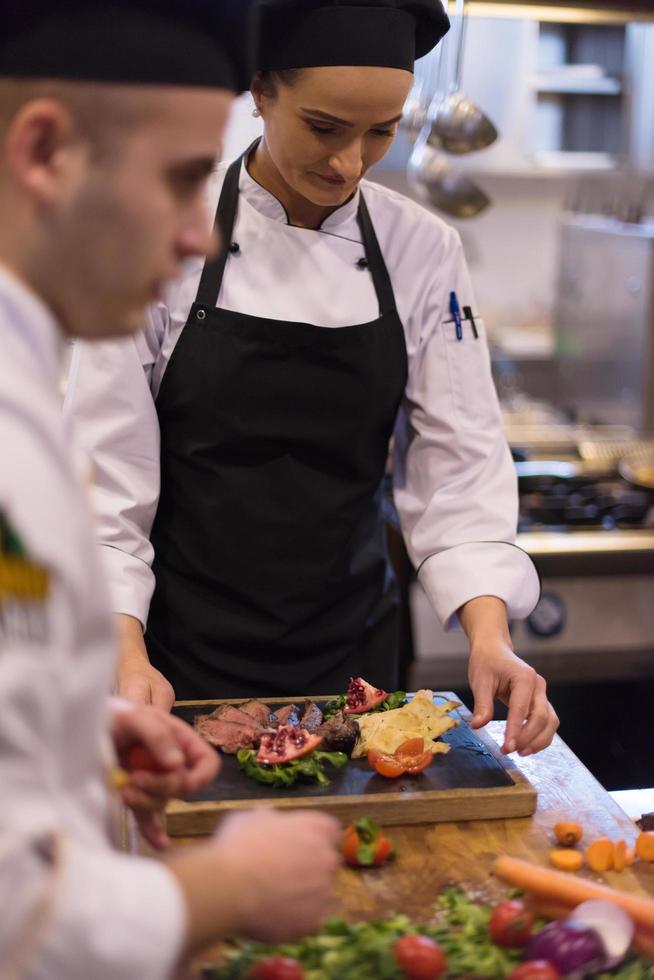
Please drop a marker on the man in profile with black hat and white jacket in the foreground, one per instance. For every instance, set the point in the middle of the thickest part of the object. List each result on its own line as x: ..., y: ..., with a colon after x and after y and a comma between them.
x: 110, y: 118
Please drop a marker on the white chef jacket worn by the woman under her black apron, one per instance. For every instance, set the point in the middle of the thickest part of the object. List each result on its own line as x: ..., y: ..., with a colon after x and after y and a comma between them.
x: 455, y: 486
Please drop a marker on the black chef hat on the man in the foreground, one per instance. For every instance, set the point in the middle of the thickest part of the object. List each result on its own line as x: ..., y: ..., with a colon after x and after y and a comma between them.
x: 149, y: 42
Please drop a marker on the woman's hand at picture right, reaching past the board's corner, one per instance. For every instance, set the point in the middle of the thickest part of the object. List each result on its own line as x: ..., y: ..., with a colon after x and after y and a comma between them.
x: 494, y: 671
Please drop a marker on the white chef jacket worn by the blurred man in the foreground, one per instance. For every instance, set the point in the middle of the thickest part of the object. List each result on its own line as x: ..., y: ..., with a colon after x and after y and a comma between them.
x: 72, y: 907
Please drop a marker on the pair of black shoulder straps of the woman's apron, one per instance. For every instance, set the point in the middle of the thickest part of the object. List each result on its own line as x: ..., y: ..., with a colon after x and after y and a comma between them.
x: 214, y: 269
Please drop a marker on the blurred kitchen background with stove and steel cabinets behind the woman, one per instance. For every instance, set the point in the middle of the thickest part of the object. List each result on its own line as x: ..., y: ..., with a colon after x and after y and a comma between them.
x: 561, y: 250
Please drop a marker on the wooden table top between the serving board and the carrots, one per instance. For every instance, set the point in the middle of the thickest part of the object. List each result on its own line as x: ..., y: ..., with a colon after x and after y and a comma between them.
x: 431, y: 856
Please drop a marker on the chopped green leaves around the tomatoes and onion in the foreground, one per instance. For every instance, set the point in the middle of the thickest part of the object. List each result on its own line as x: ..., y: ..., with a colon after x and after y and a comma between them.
x: 364, y: 950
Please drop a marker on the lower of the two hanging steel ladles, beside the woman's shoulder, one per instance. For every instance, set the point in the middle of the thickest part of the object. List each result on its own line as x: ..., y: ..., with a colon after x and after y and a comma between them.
x: 440, y: 184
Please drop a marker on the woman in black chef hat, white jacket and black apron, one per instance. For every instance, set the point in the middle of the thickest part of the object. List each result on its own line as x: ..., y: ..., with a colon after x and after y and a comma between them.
x: 243, y: 442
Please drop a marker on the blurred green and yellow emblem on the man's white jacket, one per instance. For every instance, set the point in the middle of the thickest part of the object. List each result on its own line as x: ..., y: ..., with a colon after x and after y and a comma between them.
x: 24, y: 588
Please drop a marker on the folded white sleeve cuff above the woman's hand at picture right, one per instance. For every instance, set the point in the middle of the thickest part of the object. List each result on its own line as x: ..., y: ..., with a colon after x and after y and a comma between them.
x: 467, y: 571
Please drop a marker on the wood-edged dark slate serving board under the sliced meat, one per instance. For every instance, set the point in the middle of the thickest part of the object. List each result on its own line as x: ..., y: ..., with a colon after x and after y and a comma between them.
x: 474, y: 781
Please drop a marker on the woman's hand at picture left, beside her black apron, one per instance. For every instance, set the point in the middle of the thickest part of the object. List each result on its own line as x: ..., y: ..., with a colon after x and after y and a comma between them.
x: 137, y: 680
